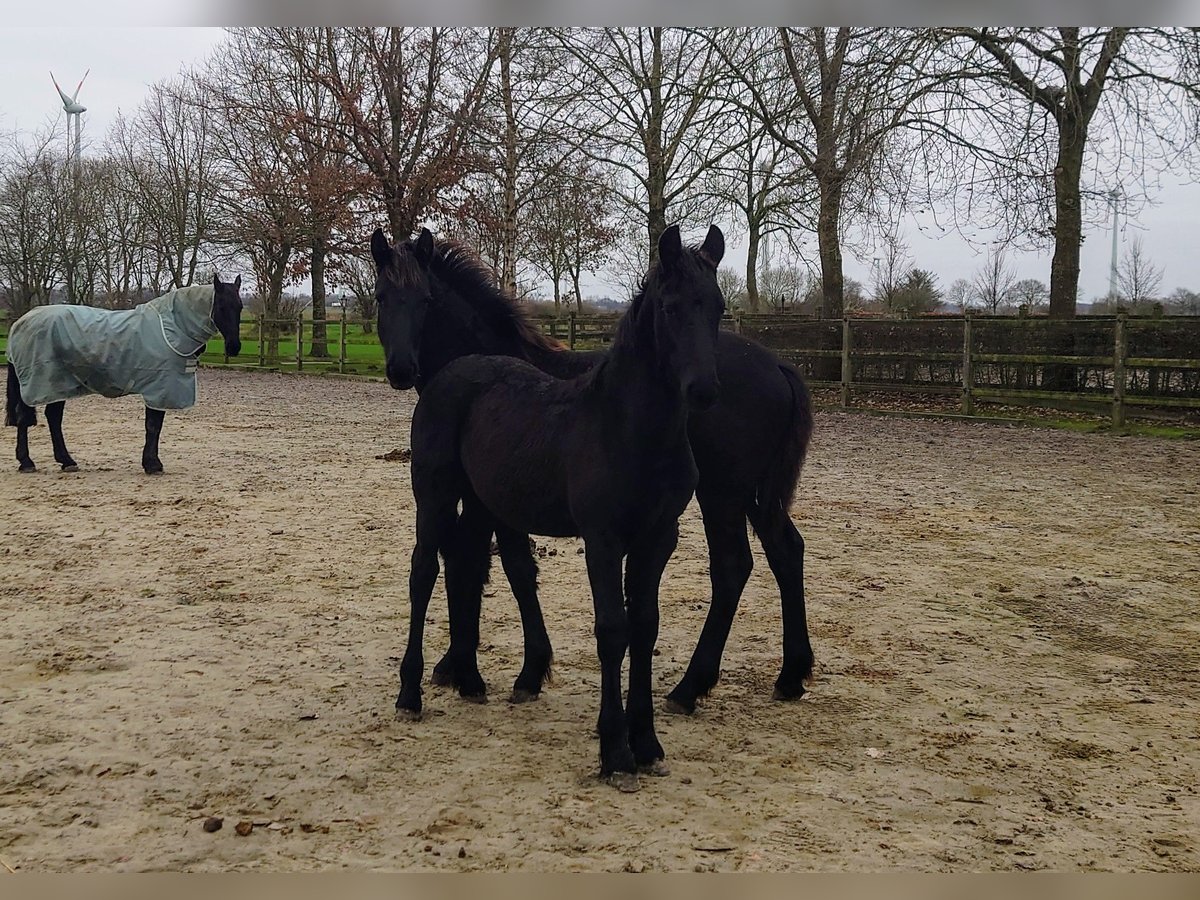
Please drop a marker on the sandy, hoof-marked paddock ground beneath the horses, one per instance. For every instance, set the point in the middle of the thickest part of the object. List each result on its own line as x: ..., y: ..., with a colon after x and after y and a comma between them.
x: 1006, y: 622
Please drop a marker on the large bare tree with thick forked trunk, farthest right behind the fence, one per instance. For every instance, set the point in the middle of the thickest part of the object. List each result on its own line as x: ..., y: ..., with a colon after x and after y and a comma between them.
x: 1045, y: 92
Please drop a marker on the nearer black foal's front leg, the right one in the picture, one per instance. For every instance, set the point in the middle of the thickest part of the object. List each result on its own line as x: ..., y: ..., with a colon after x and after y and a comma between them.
x: 644, y: 573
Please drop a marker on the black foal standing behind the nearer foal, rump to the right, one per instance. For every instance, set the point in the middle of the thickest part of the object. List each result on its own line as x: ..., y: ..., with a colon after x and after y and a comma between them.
x: 749, y: 448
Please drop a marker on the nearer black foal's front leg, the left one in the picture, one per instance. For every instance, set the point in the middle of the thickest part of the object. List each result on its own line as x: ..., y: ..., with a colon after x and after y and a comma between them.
x: 604, y: 557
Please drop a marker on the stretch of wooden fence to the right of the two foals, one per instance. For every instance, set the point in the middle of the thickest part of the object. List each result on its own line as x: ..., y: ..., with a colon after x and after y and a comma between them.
x: 1112, y: 363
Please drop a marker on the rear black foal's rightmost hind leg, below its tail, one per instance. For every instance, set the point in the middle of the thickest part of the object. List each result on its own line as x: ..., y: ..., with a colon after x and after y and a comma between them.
x: 784, y: 548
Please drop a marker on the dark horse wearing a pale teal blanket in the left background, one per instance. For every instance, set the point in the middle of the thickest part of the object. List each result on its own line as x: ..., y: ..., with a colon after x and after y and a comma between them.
x: 61, y: 352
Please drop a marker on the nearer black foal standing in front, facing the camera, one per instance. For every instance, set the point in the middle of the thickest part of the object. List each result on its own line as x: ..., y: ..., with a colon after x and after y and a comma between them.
x: 604, y: 457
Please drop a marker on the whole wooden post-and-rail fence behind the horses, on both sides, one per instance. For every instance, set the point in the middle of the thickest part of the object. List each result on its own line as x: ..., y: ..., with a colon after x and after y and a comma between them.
x: 1111, y: 363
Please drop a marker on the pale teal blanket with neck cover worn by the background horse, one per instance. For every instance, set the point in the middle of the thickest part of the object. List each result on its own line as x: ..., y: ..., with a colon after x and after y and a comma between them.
x: 63, y: 352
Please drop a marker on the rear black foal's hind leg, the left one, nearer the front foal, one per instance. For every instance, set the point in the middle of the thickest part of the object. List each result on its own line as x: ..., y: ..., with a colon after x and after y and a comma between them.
x: 729, y: 568
